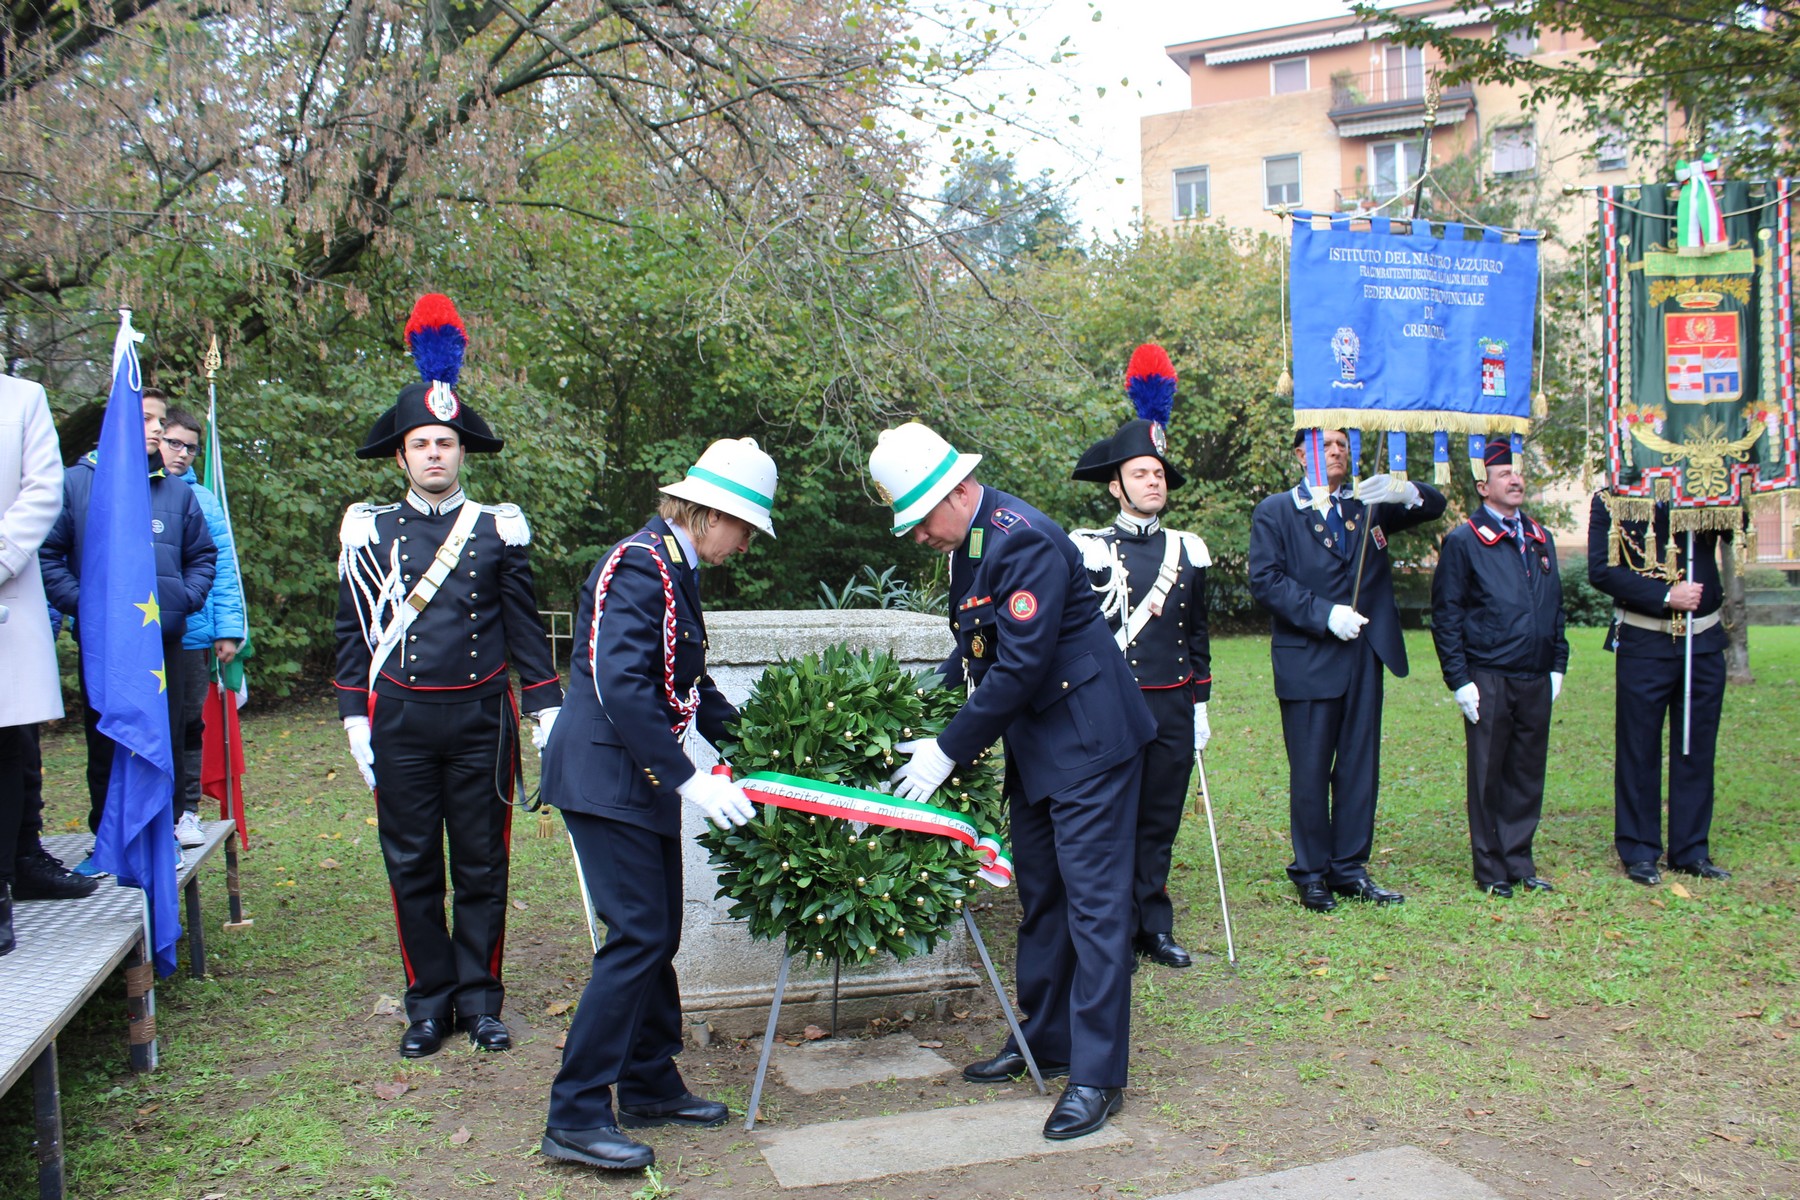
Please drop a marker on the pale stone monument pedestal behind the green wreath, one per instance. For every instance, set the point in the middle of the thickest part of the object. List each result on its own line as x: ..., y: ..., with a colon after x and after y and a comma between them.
x: 726, y: 980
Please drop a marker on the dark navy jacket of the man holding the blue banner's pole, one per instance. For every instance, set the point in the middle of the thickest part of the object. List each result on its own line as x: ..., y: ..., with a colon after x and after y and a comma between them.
x: 1297, y: 573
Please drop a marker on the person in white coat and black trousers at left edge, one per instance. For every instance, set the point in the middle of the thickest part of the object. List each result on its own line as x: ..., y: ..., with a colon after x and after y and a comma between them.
x: 31, y: 496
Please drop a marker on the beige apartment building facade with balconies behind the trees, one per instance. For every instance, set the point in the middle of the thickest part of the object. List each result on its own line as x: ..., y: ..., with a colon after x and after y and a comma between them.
x: 1329, y: 116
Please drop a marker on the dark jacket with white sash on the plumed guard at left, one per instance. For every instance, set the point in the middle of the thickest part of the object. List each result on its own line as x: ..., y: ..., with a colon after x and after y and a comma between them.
x: 483, y: 618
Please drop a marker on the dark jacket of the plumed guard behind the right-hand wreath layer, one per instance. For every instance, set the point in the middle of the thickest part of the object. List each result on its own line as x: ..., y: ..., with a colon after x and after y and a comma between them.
x: 1173, y: 650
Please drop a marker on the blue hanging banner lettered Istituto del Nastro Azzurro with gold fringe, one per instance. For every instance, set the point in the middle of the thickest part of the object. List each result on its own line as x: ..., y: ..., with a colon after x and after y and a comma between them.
x: 1410, y: 330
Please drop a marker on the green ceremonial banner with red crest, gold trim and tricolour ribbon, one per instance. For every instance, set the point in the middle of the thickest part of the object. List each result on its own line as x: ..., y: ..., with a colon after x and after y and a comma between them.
x: 1698, y: 337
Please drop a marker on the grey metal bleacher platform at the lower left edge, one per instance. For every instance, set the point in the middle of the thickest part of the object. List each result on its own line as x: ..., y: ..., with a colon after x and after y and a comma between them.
x: 67, y: 951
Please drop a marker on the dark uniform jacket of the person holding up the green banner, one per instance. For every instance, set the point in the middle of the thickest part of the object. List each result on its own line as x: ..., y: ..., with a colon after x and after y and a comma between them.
x: 1644, y: 595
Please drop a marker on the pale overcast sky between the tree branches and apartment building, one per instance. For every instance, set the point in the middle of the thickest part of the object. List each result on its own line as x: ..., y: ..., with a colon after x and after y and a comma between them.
x: 1124, y: 53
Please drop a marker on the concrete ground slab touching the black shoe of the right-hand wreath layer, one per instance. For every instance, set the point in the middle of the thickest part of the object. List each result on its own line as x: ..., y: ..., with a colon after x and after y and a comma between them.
x: 845, y: 1152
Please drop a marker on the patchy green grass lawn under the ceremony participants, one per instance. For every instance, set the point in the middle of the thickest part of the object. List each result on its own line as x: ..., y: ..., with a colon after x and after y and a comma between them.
x: 1608, y: 1041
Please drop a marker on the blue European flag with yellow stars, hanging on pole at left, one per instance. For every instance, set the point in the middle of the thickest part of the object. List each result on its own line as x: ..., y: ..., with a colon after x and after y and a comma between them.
x: 121, y: 654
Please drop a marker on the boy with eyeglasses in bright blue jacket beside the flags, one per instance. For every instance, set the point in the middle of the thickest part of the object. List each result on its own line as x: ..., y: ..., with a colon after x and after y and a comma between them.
x: 217, y: 629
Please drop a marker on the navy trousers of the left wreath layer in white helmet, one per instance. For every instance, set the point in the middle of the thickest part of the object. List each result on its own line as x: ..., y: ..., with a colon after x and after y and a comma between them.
x: 631, y: 1008
